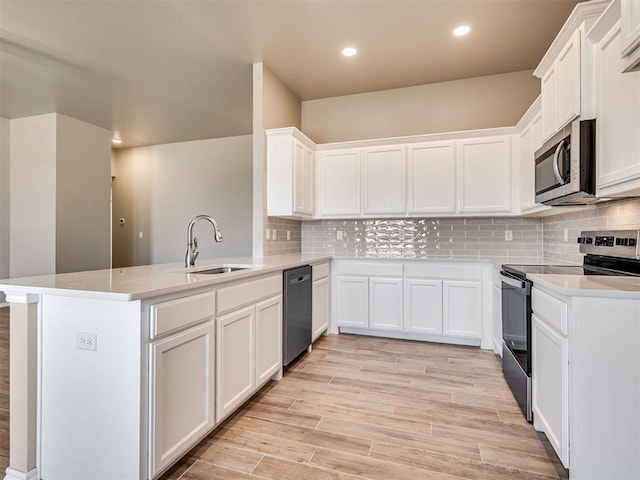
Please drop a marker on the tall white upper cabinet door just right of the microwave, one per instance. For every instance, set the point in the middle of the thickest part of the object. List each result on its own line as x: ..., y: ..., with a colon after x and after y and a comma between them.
x: 618, y: 125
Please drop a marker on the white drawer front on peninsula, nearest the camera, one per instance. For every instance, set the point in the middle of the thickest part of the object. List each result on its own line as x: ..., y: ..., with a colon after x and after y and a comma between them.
x: 176, y: 314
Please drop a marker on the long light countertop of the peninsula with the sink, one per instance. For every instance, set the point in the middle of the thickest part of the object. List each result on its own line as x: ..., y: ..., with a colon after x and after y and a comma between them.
x: 132, y: 283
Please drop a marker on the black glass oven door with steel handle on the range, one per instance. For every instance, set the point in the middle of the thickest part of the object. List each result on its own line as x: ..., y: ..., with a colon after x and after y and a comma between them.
x: 516, y: 318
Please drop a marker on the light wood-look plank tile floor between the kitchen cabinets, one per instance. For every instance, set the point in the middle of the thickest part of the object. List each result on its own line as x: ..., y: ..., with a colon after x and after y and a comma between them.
x: 372, y: 408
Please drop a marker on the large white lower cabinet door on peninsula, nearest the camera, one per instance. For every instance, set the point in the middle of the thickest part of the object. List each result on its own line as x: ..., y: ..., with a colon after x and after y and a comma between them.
x: 182, y: 393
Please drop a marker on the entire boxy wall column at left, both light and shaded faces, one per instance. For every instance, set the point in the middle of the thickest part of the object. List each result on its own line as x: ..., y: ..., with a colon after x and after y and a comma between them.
x: 59, y: 195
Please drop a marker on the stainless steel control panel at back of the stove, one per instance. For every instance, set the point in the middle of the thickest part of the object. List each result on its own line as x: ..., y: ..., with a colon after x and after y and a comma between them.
x: 615, y: 243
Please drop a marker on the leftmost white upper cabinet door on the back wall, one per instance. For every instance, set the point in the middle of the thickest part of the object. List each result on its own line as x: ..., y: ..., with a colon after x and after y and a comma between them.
x: 340, y: 180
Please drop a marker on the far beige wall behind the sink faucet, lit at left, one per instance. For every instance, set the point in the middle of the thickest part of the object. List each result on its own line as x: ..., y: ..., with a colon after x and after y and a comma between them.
x: 160, y: 188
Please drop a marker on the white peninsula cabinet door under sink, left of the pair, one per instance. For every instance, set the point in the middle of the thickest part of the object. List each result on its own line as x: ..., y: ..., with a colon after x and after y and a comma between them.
x: 235, y: 361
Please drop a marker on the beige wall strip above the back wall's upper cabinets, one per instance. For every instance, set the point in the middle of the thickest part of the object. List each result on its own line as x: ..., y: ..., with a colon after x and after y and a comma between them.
x: 482, y: 102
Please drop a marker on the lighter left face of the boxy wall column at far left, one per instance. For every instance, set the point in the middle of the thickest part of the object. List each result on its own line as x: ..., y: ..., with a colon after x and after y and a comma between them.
x: 33, y: 191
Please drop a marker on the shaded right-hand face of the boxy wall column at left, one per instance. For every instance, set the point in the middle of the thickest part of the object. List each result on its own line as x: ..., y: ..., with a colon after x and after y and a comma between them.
x: 83, y: 184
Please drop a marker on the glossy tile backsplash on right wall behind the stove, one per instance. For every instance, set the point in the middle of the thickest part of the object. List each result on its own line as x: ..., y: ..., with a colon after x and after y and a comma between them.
x: 618, y: 215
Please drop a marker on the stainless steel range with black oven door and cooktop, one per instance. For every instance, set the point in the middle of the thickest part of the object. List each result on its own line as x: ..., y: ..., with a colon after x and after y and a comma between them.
x: 608, y: 252
